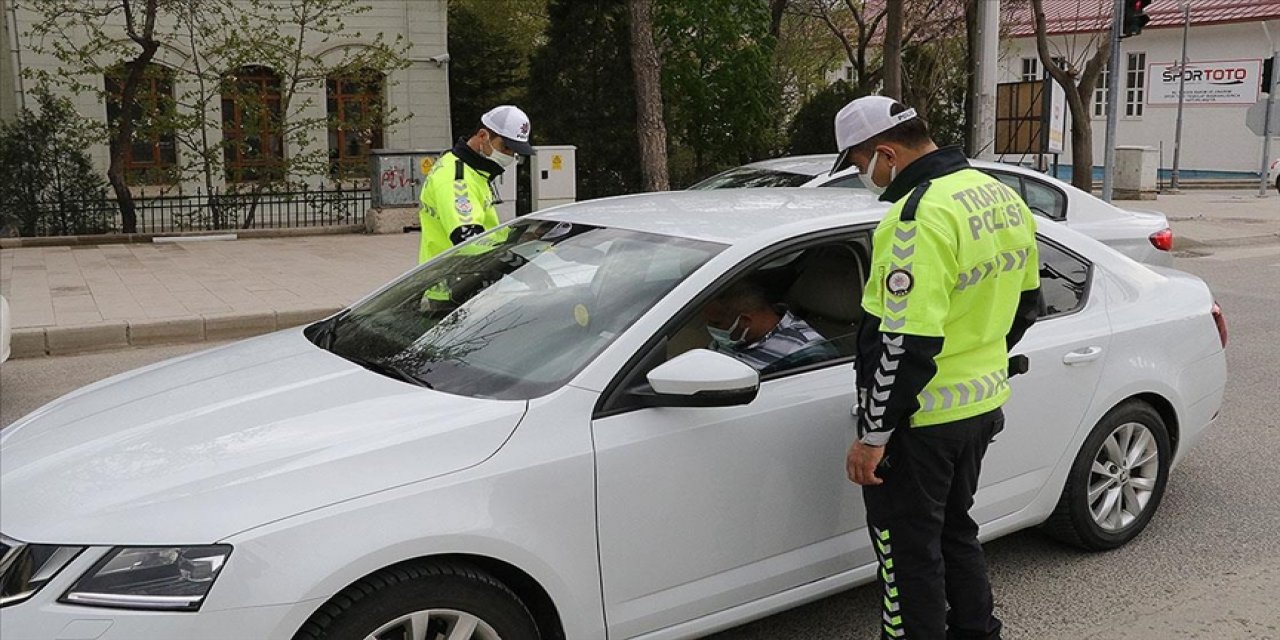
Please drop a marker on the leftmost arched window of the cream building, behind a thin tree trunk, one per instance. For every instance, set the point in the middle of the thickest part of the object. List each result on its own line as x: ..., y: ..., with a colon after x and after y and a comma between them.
x: 150, y: 156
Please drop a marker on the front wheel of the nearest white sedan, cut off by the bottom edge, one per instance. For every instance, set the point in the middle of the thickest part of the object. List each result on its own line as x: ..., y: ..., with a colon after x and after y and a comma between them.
x: 440, y: 596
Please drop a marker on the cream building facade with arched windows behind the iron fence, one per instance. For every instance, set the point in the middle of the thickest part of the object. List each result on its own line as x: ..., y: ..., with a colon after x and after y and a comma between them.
x: 418, y: 97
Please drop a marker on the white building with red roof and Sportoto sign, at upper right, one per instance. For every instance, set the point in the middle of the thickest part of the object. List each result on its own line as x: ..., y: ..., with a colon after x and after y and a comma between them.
x: 1228, y: 44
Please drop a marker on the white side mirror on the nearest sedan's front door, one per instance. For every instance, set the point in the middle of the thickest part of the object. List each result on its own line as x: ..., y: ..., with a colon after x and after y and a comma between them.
x: 701, y: 378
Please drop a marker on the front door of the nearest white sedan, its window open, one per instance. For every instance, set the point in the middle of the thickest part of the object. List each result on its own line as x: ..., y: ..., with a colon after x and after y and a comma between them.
x: 701, y: 510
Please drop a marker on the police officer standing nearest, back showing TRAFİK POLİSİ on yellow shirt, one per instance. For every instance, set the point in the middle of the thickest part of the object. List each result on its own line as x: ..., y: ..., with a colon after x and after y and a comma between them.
x: 954, y: 285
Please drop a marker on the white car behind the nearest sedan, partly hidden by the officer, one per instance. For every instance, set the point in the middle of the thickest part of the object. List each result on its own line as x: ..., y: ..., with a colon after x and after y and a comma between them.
x: 1144, y: 236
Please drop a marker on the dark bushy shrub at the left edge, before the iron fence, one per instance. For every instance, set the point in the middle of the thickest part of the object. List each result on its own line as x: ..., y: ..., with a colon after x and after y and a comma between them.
x: 51, y: 186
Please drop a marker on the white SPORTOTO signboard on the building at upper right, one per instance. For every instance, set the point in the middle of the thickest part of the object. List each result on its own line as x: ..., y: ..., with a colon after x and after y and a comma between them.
x: 1209, y: 84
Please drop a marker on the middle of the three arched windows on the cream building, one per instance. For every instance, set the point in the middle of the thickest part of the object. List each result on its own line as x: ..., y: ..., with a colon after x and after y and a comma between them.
x: 253, y: 125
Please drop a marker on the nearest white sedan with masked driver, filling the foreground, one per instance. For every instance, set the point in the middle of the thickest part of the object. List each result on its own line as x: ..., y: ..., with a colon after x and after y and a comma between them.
x: 542, y: 445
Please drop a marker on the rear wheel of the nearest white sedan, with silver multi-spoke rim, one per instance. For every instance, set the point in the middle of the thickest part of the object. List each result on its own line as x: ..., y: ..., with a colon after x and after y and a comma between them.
x: 1124, y: 495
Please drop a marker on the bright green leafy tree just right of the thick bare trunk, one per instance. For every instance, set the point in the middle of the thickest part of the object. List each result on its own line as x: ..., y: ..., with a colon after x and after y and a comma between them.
x: 721, y: 93
